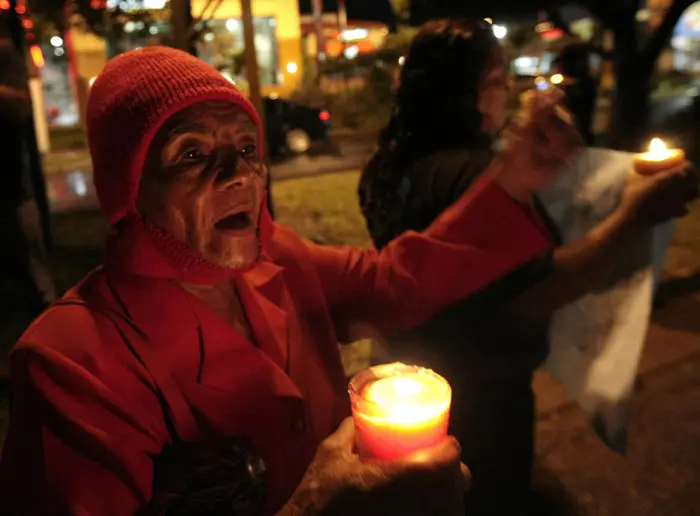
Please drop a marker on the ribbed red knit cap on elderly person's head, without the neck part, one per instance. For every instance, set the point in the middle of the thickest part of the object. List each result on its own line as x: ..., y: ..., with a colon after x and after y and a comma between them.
x: 130, y: 100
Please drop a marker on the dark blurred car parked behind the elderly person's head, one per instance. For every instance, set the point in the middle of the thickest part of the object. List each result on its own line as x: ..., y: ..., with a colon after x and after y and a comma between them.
x: 293, y: 128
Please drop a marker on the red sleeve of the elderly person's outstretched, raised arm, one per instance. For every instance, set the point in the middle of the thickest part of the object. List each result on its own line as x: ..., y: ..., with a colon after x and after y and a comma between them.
x: 481, y: 237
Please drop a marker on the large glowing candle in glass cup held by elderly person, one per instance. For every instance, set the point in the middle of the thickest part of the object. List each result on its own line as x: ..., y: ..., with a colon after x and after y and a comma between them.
x: 399, y: 409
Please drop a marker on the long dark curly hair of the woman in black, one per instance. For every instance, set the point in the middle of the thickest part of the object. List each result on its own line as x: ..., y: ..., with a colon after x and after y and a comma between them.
x: 436, y: 109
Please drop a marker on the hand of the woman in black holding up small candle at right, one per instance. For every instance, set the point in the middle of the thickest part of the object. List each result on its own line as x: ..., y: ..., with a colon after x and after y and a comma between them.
x: 652, y: 199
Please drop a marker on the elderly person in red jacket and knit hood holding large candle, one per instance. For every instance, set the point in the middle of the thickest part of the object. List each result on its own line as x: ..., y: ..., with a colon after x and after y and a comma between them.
x: 209, y: 320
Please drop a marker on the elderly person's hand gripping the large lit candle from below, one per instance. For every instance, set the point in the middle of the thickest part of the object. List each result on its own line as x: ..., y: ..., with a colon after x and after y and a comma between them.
x: 338, y: 482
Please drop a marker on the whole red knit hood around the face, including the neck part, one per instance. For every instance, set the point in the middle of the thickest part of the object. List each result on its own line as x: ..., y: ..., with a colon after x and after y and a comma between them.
x: 129, y: 102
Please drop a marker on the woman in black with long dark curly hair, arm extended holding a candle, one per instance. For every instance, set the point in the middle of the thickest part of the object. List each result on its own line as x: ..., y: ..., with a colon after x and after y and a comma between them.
x: 450, y: 107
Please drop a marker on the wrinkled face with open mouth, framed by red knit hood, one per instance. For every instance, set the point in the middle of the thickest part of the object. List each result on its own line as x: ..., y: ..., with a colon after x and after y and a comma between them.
x: 204, y: 182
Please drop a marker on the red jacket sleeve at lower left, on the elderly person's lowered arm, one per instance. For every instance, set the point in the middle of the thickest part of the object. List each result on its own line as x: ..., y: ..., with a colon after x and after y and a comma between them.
x: 81, y: 433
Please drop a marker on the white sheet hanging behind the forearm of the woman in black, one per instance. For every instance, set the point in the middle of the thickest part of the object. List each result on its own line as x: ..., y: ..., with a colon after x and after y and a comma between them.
x: 596, y: 342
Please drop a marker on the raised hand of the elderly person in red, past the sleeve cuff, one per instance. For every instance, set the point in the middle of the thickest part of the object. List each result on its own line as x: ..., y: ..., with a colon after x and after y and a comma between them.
x: 540, y: 143
